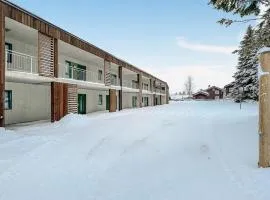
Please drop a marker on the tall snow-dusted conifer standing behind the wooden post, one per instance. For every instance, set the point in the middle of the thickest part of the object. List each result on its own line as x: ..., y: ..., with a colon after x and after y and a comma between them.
x: 246, y: 78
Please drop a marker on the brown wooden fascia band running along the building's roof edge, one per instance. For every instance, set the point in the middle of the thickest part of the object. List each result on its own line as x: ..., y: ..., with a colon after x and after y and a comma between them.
x: 21, y: 15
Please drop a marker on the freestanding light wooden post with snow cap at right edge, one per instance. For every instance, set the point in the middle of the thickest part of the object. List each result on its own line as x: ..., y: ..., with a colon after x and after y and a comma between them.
x: 264, y: 111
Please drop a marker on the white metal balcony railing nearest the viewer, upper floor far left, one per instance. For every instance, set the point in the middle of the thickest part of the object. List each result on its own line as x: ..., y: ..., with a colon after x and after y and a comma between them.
x: 20, y: 62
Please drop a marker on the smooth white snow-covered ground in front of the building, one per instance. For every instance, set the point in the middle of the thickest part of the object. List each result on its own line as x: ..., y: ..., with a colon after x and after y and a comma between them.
x: 185, y: 150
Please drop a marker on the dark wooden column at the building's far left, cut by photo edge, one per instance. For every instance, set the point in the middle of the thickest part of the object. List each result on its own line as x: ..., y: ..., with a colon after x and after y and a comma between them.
x: 2, y: 65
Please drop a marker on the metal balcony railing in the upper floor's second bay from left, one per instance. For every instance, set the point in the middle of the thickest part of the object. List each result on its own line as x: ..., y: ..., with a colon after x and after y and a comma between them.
x: 75, y: 73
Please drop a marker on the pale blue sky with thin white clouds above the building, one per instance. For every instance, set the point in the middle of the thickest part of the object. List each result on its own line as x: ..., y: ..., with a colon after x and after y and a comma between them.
x: 169, y: 38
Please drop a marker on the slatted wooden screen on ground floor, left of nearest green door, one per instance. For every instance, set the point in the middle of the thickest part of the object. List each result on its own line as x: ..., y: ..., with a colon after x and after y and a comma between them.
x: 72, y: 99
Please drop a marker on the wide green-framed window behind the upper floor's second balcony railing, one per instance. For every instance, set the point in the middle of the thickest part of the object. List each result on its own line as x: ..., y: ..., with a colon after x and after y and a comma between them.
x: 75, y: 71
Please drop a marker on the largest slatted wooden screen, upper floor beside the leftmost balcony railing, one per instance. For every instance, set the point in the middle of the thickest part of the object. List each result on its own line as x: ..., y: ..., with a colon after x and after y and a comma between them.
x: 46, y: 54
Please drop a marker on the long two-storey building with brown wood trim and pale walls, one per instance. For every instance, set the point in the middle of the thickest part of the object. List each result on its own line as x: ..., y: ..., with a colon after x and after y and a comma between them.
x: 46, y: 73
